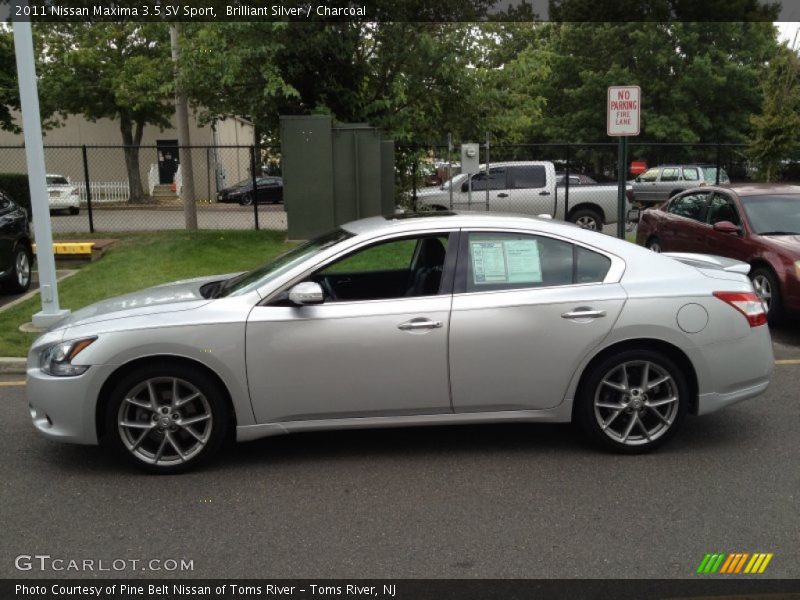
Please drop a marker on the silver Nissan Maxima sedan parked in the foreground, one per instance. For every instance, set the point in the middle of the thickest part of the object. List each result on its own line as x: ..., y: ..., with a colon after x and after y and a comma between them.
x: 440, y: 318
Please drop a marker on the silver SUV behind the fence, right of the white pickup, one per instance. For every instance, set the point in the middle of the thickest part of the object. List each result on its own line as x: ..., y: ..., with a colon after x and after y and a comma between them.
x: 659, y: 184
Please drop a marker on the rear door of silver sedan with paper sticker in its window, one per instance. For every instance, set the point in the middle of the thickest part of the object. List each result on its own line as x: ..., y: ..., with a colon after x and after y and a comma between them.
x: 526, y: 310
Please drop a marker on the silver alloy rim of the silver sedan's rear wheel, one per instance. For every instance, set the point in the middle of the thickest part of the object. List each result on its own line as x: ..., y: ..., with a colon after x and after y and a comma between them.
x: 636, y: 403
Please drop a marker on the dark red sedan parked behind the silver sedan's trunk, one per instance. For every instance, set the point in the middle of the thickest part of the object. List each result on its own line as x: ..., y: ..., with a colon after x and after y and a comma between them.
x: 756, y: 224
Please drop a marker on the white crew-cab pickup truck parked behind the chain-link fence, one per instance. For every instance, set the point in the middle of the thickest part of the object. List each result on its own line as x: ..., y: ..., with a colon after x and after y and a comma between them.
x: 530, y: 188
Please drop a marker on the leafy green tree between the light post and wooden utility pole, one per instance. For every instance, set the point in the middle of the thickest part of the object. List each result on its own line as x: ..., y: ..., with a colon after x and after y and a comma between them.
x: 119, y: 71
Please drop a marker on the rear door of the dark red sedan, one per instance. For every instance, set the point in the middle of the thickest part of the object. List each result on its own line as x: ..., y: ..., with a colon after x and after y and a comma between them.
x: 684, y: 227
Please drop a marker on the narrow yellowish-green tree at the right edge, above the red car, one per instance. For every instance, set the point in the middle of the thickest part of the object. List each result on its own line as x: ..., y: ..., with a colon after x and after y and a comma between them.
x: 777, y: 128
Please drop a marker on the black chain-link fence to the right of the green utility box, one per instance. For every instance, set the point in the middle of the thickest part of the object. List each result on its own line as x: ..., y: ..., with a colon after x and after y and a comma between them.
x: 586, y: 175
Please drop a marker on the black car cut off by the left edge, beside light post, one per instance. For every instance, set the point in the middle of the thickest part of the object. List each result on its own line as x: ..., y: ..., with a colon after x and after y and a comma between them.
x: 16, y: 255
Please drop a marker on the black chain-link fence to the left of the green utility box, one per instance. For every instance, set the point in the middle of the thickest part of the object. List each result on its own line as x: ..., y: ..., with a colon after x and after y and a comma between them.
x: 141, y: 188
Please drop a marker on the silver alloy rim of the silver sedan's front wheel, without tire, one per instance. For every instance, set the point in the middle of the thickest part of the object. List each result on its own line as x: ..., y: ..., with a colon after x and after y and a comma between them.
x: 165, y: 421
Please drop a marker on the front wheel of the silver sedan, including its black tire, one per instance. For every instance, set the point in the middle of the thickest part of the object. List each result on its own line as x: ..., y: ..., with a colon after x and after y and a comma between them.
x: 125, y: 442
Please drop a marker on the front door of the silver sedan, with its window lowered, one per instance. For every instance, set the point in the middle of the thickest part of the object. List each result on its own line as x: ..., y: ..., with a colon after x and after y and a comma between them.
x: 376, y: 347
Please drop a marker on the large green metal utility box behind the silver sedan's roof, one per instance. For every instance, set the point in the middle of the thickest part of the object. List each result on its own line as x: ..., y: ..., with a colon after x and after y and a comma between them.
x: 333, y: 173
